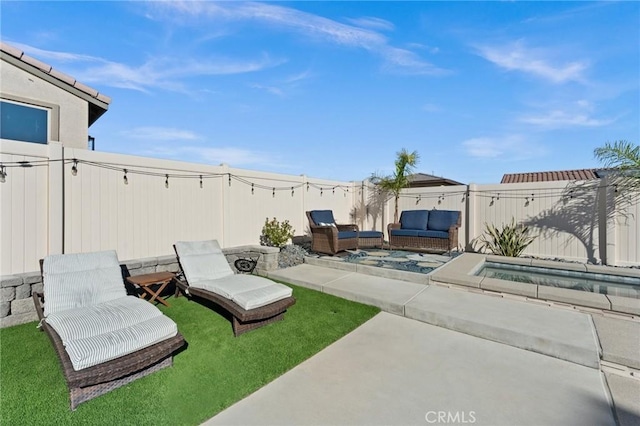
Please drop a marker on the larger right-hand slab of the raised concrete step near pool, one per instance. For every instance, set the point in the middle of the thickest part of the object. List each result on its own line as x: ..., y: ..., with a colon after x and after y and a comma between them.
x: 566, y: 335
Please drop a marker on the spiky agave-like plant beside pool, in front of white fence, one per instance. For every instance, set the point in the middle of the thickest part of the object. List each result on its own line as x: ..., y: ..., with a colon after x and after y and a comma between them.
x: 510, y: 241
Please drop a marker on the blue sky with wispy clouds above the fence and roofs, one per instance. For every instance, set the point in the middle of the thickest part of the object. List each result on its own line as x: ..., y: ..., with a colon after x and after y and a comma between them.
x: 335, y: 89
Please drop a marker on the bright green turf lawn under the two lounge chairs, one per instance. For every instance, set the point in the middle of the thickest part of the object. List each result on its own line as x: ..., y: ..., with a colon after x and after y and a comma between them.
x: 214, y: 371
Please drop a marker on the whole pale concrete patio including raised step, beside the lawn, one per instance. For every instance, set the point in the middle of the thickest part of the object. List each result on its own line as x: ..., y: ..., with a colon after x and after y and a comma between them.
x: 451, y: 356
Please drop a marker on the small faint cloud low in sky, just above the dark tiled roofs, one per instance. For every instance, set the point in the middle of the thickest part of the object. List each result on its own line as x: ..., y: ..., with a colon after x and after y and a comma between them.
x: 511, y: 147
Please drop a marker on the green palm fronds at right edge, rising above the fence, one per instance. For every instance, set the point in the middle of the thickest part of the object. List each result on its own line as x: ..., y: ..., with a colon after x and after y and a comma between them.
x: 624, y: 158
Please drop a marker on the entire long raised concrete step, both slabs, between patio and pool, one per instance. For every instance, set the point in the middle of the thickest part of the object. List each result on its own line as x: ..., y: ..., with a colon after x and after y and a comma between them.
x: 562, y: 334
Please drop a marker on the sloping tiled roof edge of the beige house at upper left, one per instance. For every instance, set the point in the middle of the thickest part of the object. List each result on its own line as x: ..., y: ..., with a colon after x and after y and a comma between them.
x: 98, y: 102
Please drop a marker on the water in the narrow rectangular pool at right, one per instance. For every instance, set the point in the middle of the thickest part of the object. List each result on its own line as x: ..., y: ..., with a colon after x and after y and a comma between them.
x: 584, y: 281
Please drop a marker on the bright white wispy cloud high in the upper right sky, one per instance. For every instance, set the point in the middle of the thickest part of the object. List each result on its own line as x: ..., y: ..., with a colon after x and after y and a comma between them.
x: 539, y: 62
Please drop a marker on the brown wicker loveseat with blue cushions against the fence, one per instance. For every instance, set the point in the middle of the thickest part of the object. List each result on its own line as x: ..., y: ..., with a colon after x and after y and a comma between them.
x: 426, y: 229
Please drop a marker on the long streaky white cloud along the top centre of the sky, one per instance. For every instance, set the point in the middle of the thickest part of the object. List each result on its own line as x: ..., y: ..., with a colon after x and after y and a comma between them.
x: 308, y: 25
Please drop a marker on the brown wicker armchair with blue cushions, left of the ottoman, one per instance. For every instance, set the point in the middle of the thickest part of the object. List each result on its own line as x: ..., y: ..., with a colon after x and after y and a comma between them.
x: 327, y: 236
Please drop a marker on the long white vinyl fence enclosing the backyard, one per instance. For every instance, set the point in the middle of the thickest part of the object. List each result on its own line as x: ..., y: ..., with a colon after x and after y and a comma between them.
x: 51, y: 204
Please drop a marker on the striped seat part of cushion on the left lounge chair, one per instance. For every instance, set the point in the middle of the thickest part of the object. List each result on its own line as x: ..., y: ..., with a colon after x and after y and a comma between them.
x: 99, y: 333
